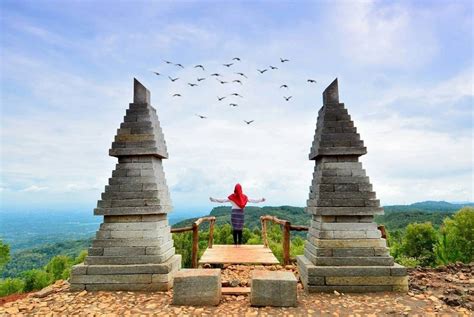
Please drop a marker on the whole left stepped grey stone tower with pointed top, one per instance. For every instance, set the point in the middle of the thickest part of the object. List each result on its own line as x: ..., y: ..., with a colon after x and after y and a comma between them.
x: 133, y: 249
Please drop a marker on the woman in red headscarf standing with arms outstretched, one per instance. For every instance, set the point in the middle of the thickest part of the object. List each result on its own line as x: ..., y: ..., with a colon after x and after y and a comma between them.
x: 238, y: 201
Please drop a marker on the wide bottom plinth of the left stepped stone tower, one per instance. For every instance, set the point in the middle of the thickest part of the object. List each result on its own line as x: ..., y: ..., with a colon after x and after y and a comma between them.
x: 134, y: 277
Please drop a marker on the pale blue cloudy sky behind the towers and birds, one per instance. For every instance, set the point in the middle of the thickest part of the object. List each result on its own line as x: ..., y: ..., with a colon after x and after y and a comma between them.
x: 405, y: 72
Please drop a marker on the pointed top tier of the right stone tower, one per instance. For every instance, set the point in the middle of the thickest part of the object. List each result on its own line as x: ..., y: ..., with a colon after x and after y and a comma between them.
x: 335, y: 131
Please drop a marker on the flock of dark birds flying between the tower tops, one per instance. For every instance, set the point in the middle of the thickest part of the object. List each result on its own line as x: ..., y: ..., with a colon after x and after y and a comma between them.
x: 219, y: 77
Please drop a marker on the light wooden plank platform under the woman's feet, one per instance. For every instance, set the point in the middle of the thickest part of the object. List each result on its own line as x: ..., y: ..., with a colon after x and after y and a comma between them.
x: 242, y: 254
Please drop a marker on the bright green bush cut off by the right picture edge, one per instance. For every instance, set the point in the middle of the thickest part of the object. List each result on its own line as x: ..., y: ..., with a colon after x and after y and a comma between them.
x: 457, y: 238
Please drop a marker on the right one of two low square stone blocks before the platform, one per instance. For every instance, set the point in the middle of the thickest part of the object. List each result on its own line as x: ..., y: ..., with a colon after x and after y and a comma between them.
x: 273, y: 288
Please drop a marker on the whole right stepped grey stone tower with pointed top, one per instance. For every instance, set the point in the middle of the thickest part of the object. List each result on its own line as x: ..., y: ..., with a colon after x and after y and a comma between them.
x: 344, y: 250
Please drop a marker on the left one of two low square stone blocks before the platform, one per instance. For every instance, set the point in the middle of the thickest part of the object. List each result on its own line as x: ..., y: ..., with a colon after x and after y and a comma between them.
x: 197, y: 287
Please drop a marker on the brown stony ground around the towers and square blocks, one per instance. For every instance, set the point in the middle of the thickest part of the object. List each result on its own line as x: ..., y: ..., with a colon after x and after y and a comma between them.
x: 445, y: 291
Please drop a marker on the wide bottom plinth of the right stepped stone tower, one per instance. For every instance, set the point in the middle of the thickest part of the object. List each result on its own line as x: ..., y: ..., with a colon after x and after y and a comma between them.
x: 352, y: 279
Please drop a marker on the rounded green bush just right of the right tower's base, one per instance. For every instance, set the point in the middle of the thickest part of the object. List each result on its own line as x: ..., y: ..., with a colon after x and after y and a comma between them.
x: 419, y: 242
